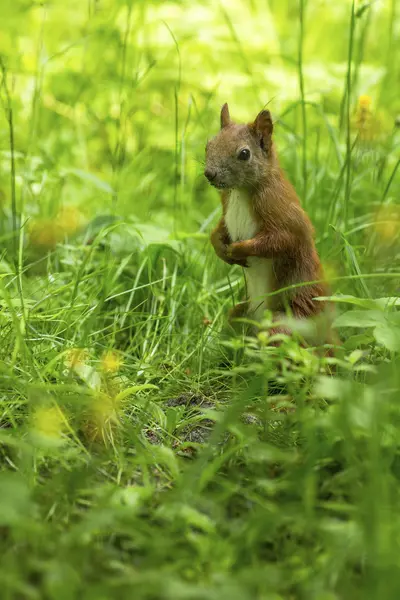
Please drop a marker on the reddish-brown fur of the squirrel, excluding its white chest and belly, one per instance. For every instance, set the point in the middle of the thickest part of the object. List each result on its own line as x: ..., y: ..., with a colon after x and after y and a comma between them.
x: 285, y: 233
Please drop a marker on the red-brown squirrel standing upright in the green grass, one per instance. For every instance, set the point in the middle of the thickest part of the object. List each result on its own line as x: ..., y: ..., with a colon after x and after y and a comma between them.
x: 263, y: 226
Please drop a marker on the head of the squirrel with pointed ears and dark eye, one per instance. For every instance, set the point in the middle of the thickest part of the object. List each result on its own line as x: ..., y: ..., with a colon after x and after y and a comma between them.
x: 240, y: 156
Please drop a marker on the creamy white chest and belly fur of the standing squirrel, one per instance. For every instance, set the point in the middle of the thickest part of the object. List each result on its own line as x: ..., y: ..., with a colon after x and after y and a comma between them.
x: 241, y: 225
